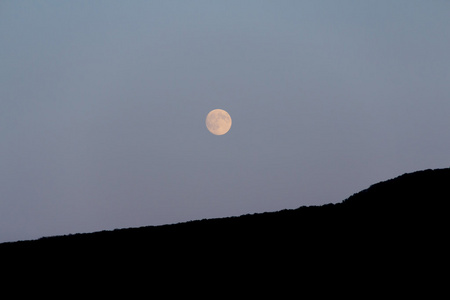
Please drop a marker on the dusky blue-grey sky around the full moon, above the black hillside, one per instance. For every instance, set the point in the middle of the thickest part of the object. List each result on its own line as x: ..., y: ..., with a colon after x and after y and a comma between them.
x: 103, y: 107
